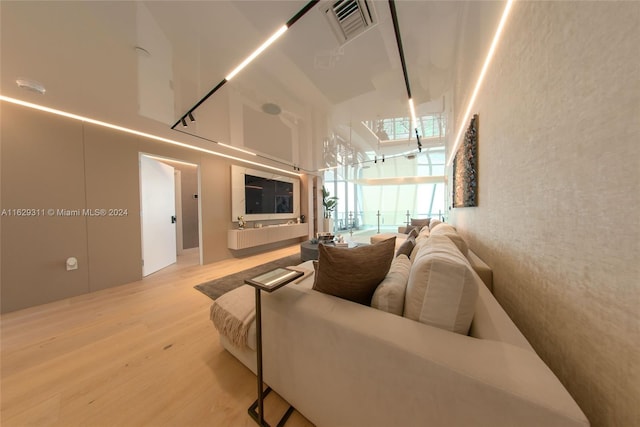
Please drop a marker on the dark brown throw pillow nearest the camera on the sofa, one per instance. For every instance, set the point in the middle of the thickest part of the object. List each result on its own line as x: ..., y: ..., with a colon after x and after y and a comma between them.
x: 353, y: 273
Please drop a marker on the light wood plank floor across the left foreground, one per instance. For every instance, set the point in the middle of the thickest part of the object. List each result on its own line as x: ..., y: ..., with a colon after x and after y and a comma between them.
x: 142, y: 354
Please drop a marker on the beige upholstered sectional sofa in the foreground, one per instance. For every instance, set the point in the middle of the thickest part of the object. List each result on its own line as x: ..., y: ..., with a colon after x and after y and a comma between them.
x: 345, y: 364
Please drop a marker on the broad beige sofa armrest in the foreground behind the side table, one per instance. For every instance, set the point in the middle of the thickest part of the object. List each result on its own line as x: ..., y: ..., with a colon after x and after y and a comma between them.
x: 341, y: 363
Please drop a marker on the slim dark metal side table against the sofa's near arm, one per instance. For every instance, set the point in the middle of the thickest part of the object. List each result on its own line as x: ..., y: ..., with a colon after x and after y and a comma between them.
x: 267, y: 282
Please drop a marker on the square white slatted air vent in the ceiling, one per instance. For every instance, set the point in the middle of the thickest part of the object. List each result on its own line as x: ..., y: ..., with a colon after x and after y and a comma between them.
x: 350, y: 18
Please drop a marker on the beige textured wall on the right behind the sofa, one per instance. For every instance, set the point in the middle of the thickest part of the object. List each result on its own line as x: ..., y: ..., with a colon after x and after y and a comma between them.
x: 559, y: 201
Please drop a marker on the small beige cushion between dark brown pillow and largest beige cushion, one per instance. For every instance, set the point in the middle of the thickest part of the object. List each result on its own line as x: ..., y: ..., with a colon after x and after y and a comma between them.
x: 389, y: 295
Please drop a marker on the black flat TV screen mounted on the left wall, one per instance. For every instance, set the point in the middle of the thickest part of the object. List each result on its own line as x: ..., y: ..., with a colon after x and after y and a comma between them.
x: 265, y: 196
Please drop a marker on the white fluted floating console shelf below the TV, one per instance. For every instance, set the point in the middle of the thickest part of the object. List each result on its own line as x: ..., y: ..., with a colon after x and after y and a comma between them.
x: 251, y: 237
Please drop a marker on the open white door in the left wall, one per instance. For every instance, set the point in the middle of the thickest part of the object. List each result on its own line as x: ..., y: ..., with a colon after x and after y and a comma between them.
x: 157, y: 193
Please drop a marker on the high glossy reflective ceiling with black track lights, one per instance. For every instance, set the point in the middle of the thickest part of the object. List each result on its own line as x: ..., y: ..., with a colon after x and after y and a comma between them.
x: 85, y: 54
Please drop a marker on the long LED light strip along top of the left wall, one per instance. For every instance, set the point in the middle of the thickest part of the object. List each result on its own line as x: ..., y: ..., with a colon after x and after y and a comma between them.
x: 135, y: 132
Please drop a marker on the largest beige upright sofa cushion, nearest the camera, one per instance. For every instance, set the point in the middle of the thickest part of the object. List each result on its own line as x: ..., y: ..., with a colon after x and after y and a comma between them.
x: 442, y: 287
